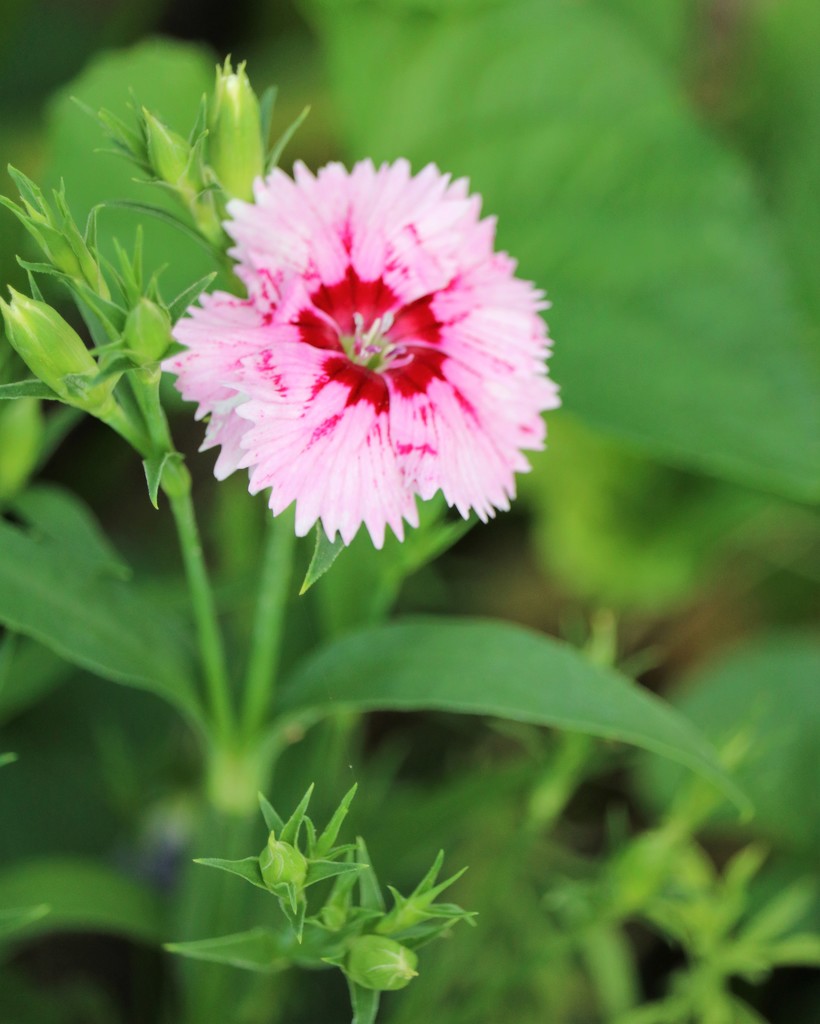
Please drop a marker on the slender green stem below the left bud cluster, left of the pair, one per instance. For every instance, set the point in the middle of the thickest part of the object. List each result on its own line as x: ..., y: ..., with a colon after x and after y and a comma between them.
x: 210, y: 637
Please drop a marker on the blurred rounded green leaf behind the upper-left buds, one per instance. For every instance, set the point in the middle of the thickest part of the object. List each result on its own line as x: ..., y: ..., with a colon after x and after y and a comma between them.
x: 113, y: 81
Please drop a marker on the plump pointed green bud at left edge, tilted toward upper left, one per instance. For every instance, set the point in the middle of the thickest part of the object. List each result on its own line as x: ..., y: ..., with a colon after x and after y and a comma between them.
x: 56, y: 354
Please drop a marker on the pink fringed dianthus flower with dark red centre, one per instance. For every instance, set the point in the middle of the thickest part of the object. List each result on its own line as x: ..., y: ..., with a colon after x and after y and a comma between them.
x: 384, y: 352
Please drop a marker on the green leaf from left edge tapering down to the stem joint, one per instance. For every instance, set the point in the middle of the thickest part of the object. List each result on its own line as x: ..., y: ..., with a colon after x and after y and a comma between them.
x: 52, y: 594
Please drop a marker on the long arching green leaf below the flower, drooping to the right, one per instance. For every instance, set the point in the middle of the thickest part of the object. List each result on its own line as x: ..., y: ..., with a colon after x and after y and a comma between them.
x: 492, y: 668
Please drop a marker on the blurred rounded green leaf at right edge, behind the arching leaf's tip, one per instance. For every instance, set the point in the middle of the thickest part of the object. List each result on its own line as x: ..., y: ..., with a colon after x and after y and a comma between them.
x: 766, y: 694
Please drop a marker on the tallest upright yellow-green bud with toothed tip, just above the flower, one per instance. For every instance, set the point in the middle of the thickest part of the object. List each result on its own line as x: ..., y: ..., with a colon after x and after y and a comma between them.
x: 236, y: 148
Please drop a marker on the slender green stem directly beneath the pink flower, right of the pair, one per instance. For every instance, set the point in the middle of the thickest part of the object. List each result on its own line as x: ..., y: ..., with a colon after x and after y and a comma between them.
x: 269, y: 623
